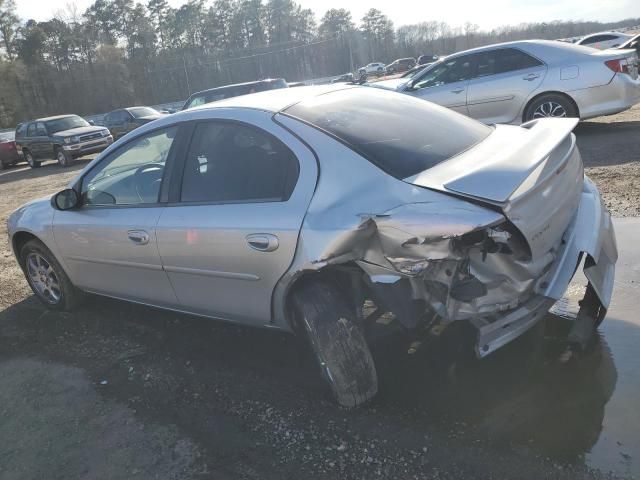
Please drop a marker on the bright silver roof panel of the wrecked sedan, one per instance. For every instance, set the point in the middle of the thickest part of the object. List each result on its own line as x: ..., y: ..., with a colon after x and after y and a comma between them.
x: 273, y: 100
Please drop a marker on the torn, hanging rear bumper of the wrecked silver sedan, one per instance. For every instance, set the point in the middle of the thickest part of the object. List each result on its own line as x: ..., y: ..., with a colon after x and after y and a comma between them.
x: 590, y: 233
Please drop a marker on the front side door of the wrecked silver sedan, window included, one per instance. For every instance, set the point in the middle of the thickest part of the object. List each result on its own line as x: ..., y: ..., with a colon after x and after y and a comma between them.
x: 109, y: 243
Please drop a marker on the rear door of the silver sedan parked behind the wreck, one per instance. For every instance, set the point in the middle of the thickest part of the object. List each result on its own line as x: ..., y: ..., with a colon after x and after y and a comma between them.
x: 503, y: 80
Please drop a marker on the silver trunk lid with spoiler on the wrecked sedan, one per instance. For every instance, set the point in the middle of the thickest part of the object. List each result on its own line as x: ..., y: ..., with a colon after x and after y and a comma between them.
x: 532, y: 173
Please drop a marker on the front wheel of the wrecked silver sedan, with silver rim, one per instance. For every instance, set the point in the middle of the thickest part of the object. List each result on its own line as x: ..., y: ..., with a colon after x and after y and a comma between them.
x: 36, y: 257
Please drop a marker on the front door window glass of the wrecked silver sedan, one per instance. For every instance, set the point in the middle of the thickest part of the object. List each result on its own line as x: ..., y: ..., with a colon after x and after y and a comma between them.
x: 132, y: 174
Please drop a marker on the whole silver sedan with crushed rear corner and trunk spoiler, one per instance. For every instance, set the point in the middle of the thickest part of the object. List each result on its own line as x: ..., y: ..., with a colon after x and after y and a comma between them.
x: 293, y: 209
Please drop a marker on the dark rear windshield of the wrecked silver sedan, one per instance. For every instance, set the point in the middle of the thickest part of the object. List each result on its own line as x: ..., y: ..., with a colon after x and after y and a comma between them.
x: 401, y: 134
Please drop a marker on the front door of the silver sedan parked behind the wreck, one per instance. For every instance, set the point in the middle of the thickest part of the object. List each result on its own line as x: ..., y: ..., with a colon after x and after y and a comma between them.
x: 445, y: 83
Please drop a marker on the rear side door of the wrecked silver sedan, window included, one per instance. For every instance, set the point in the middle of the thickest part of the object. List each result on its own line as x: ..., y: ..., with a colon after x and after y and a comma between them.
x: 232, y: 229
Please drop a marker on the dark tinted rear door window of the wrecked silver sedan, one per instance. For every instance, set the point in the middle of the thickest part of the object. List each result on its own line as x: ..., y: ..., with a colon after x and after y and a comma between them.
x: 230, y: 162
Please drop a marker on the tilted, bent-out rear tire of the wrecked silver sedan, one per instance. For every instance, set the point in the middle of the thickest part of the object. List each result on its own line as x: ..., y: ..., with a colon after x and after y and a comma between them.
x: 338, y: 343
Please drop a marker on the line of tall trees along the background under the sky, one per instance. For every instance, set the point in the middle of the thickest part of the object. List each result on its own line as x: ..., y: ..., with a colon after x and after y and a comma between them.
x: 119, y: 53
